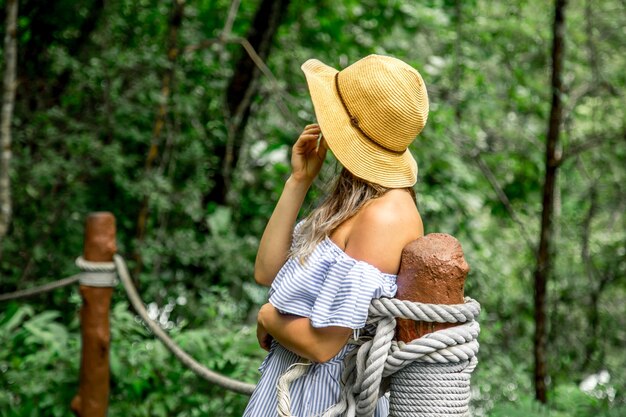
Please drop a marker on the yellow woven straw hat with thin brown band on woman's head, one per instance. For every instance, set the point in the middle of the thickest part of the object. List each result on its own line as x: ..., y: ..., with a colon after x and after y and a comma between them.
x: 369, y: 113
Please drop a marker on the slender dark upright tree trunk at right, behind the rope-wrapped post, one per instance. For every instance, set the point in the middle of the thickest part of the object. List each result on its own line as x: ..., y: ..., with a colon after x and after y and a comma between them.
x: 544, y: 253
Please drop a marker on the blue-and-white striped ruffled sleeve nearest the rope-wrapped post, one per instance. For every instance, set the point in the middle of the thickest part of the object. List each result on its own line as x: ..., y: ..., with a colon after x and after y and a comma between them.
x: 346, y: 292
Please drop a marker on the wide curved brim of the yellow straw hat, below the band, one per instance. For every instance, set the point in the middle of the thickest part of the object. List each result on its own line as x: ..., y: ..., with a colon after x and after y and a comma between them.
x: 356, y: 153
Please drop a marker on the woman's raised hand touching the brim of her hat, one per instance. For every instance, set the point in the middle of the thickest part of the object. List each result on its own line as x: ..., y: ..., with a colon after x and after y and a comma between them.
x: 307, y: 154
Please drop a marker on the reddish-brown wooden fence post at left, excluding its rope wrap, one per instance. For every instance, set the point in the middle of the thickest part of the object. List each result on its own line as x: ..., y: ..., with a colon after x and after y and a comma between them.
x: 92, y: 399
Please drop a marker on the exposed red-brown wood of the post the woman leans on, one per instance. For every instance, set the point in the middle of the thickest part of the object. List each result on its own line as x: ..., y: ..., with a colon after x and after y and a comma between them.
x: 433, y: 271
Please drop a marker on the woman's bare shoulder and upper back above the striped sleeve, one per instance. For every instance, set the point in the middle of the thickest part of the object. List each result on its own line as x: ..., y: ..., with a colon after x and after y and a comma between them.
x: 383, y: 228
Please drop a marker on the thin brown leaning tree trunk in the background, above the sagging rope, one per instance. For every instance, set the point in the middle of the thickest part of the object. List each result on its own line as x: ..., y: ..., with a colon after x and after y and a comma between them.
x: 174, y: 24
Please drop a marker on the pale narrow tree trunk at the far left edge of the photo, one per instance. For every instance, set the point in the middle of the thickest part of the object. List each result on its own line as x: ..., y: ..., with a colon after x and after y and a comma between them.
x: 8, y: 100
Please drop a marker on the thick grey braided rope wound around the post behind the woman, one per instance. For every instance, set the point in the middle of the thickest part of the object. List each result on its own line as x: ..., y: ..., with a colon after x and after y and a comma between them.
x: 455, y: 345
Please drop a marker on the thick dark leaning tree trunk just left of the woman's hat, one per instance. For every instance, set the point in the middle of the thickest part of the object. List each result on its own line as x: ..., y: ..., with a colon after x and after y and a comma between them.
x: 241, y: 90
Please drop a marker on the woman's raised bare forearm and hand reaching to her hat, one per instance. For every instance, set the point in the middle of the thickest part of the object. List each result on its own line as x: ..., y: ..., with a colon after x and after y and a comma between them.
x: 306, y: 160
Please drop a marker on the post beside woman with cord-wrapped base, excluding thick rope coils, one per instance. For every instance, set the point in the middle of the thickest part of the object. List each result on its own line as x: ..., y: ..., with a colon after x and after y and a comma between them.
x: 432, y: 271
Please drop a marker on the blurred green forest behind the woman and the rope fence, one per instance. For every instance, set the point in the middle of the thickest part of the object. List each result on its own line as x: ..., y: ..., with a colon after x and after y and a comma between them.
x: 178, y: 117
